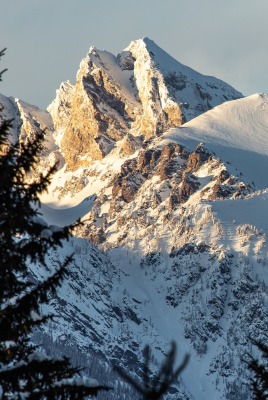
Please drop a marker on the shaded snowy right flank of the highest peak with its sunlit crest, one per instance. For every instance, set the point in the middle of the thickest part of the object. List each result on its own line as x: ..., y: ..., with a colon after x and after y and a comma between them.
x: 195, y: 92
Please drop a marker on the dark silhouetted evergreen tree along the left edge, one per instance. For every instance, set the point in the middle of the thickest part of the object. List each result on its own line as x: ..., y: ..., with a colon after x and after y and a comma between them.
x: 25, y: 372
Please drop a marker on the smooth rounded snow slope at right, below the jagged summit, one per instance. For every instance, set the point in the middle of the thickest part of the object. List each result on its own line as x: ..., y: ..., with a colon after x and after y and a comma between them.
x: 237, y: 132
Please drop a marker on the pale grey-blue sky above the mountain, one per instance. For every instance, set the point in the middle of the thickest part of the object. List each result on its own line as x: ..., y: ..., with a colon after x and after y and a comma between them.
x: 47, y: 39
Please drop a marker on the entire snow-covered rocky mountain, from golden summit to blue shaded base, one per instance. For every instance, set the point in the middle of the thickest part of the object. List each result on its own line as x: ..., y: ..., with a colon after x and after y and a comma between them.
x: 174, y: 242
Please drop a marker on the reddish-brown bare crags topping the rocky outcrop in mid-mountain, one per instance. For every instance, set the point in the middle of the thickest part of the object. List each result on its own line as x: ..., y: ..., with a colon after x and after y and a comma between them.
x: 172, y: 161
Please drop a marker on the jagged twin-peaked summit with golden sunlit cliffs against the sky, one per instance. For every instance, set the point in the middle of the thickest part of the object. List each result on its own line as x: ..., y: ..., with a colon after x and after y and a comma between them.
x: 142, y: 91
